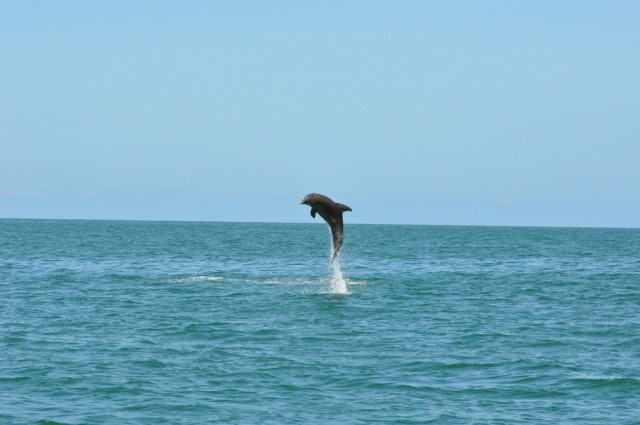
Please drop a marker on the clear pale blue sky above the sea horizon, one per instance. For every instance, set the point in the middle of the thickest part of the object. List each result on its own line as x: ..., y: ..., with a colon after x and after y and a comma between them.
x: 425, y: 112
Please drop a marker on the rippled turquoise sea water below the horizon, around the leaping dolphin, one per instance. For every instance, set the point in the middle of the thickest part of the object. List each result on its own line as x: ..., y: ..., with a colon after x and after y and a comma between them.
x: 244, y: 323
